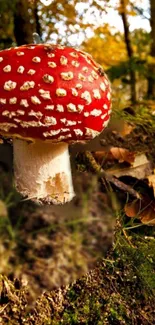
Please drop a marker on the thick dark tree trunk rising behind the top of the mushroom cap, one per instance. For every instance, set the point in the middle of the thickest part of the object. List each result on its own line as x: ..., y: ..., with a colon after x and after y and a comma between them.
x: 23, y: 28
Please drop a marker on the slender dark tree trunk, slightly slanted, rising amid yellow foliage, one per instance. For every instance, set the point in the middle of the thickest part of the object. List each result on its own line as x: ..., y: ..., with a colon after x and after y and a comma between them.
x: 129, y: 50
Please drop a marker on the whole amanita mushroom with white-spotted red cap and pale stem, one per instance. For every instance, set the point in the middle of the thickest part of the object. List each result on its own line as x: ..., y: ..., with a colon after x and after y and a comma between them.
x: 50, y: 96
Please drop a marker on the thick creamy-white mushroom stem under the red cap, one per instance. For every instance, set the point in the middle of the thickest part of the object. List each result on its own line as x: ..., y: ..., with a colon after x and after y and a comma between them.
x: 42, y: 171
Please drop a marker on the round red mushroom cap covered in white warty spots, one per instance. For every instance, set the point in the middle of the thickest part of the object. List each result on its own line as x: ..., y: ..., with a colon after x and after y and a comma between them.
x: 50, y: 92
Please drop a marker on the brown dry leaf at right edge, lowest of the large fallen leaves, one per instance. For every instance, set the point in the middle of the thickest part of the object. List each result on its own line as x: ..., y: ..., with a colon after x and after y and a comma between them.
x: 142, y: 209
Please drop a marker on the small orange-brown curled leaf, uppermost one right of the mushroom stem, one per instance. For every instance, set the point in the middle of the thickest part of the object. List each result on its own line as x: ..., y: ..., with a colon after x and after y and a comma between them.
x: 122, y: 154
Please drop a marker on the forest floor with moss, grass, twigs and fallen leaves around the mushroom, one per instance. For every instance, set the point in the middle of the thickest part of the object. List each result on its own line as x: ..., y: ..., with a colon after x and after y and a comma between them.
x: 91, y: 261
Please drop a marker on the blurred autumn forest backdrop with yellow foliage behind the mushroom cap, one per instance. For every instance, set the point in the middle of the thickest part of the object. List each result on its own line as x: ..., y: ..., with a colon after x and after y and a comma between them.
x: 128, y: 56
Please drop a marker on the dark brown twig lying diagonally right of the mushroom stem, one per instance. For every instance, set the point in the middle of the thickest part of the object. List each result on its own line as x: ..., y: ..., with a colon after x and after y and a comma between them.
x: 95, y: 167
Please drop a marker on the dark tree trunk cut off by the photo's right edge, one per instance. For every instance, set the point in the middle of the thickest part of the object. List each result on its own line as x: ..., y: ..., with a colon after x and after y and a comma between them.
x: 151, y: 76
